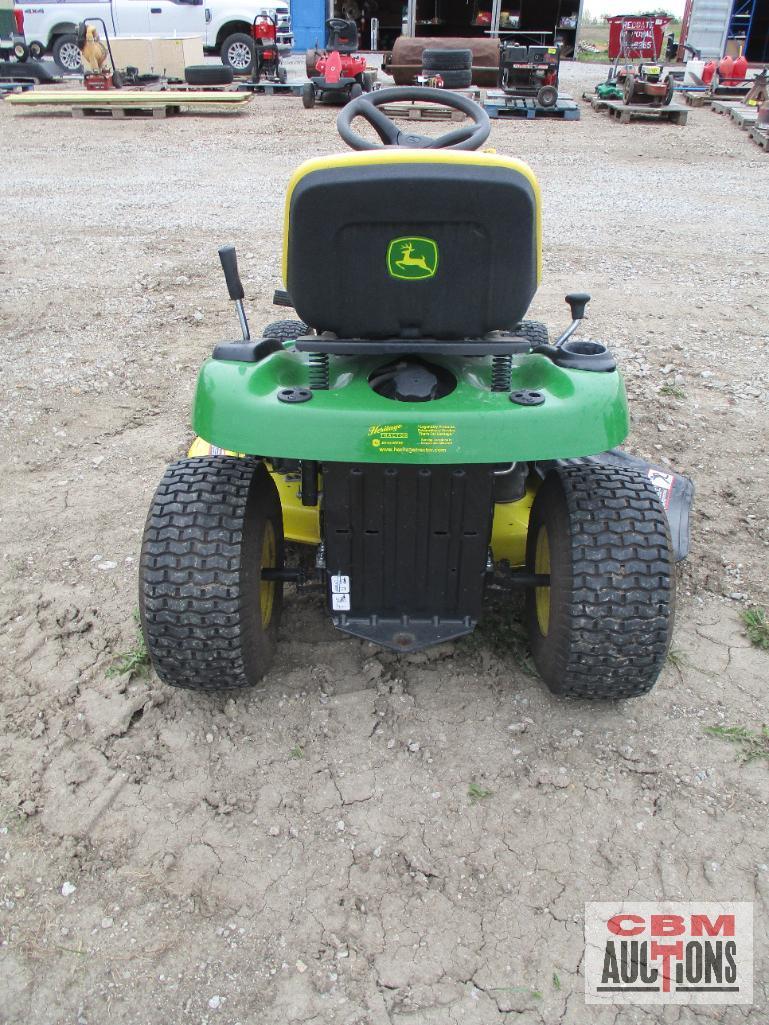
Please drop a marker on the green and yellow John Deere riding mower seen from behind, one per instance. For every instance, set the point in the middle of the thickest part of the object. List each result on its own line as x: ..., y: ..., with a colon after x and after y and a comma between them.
x: 416, y: 434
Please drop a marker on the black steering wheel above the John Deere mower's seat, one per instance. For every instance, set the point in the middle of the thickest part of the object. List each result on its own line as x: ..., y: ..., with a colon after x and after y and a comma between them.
x: 368, y: 107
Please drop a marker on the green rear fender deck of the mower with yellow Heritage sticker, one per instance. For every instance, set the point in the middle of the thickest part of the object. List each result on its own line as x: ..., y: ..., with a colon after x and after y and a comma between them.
x: 236, y: 407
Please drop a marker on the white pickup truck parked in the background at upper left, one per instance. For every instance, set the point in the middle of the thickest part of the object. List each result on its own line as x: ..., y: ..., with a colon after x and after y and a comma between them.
x: 225, y: 25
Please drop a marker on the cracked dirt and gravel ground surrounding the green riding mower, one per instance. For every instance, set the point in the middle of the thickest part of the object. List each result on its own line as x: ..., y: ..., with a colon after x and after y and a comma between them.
x: 309, y: 852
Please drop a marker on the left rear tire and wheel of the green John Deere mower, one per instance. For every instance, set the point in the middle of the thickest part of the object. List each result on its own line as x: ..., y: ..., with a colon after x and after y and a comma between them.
x: 211, y: 623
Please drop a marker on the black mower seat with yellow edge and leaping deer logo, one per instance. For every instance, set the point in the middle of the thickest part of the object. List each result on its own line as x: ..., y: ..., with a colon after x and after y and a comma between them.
x: 413, y: 243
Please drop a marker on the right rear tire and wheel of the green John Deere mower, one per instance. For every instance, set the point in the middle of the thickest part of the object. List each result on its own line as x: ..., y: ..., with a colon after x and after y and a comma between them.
x: 603, y: 628
